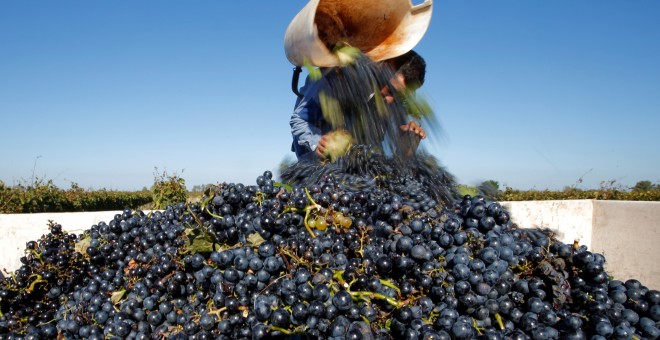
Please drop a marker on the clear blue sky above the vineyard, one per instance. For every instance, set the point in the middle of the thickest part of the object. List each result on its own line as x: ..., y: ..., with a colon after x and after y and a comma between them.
x: 532, y: 94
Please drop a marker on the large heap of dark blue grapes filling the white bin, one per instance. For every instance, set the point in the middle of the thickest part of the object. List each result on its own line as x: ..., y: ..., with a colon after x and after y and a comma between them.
x: 319, y: 261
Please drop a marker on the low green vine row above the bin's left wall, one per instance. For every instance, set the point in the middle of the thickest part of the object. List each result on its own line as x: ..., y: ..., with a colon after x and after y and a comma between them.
x: 44, y: 196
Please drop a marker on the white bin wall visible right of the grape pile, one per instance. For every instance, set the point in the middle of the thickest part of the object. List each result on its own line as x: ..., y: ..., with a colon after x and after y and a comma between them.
x: 626, y: 232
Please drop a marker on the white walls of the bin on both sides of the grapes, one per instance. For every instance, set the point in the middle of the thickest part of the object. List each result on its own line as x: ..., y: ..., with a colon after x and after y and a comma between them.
x: 627, y: 233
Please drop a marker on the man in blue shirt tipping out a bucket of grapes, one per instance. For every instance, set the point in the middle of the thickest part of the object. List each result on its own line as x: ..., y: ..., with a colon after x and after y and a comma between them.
x: 310, y: 130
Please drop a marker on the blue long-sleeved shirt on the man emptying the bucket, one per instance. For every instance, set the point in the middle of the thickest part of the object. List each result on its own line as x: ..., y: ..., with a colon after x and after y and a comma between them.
x: 307, y: 122
